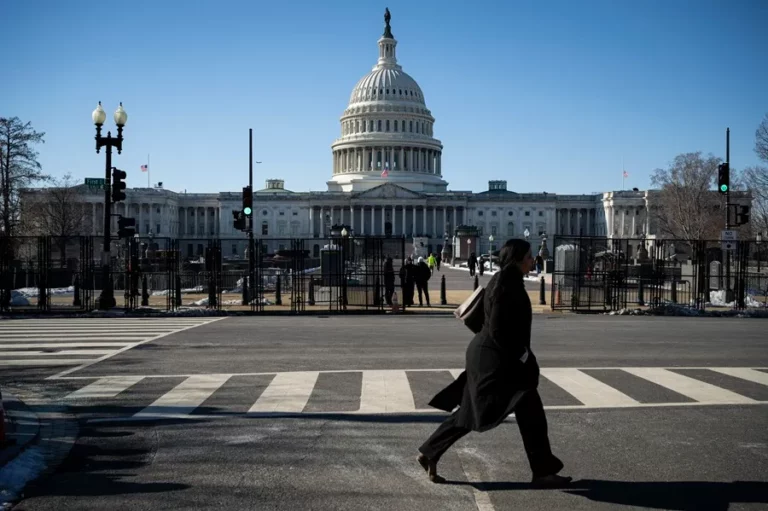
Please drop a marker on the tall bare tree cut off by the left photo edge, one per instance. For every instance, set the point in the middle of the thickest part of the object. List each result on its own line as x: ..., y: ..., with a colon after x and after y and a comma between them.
x: 19, y: 167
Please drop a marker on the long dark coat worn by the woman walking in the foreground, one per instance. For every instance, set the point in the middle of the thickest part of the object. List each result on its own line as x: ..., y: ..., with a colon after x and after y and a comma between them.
x: 487, y: 390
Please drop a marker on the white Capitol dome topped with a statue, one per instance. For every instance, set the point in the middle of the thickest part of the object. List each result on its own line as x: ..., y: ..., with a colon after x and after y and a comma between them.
x: 387, y: 131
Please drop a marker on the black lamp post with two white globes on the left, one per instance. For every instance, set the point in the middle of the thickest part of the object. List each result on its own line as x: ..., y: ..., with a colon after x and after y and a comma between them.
x: 107, y: 297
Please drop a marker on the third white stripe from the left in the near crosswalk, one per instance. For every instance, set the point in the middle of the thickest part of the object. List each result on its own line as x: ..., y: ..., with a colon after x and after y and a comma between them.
x: 287, y: 392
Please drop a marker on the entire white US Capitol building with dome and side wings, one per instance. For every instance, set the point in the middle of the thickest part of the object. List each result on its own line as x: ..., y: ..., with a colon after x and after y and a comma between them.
x: 386, y: 179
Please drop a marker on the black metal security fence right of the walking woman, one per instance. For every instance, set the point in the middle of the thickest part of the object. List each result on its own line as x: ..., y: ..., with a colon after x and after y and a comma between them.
x: 601, y: 274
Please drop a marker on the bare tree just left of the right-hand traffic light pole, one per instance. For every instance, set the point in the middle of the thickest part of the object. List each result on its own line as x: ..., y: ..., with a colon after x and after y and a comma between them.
x: 688, y: 208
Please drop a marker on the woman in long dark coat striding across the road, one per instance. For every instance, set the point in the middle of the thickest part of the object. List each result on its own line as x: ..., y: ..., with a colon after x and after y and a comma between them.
x: 501, y: 376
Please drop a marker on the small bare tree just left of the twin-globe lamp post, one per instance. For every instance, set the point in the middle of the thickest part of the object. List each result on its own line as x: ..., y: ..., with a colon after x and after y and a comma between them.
x: 58, y: 211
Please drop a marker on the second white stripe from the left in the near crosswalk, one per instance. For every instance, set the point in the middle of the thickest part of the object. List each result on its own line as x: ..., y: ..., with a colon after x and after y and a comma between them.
x: 185, y: 397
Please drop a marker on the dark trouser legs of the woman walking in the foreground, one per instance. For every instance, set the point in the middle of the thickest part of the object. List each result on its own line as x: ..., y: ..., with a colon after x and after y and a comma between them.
x: 532, y: 423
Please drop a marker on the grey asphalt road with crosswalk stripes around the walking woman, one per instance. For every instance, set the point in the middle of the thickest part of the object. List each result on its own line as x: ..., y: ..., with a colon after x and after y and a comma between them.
x: 217, y: 433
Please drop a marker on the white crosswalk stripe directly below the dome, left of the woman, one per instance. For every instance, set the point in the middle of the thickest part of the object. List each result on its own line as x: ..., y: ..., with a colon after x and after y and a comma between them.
x: 386, y: 391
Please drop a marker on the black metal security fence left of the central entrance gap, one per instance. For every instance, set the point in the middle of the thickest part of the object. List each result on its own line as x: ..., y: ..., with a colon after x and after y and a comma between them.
x: 46, y: 273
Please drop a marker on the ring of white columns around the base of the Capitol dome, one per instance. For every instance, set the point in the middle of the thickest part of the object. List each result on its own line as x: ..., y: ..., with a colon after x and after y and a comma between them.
x: 360, y: 159
